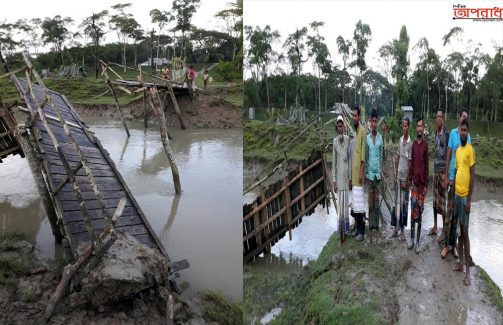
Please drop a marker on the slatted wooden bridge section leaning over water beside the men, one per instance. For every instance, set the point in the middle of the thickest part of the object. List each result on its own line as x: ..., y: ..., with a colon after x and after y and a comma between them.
x: 281, y: 206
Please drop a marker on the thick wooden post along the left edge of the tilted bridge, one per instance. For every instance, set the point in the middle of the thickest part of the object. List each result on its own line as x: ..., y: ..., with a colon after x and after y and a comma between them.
x: 34, y: 164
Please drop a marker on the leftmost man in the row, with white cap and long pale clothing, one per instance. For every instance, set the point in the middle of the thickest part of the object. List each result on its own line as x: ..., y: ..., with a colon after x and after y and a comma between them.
x: 341, y: 175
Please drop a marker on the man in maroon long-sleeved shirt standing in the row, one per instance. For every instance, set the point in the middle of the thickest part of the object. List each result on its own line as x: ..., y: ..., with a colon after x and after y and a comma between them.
x: 418, y: 178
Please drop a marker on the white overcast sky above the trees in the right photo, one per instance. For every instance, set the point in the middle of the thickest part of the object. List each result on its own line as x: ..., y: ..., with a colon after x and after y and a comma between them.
x: 431, y: 19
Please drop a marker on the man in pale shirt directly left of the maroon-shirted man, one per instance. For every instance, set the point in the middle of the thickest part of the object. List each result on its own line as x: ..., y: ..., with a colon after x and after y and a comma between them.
x: 404, y: 155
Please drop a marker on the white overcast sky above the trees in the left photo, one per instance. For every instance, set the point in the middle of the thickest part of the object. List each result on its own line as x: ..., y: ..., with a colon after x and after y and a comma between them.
x: 14, y: 9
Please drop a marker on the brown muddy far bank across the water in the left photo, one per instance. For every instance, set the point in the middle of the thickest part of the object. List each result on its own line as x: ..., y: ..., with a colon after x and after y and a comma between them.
x: 205, y: 111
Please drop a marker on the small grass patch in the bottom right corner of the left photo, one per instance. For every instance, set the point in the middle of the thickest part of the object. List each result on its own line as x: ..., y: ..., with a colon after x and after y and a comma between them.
x: 220, y: 310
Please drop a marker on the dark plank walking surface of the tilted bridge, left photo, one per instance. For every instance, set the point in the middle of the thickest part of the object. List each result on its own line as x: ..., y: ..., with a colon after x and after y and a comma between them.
x: 109, y: 181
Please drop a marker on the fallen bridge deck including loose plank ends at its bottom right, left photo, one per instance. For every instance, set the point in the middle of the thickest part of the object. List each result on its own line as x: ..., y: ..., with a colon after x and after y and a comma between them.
x: 70, y: 186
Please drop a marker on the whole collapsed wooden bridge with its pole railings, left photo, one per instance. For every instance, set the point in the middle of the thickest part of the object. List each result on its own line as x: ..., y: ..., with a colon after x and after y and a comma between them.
x: 84, y: 195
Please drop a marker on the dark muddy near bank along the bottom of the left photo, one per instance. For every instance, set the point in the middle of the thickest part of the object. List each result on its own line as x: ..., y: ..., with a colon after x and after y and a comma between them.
x: 28, y: 281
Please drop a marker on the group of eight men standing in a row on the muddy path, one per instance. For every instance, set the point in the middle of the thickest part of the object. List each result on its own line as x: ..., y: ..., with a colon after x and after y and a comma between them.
x: 359, y: 161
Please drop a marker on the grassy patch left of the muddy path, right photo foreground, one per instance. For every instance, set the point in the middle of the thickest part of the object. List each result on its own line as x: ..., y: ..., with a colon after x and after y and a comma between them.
x: 345, y: 285
